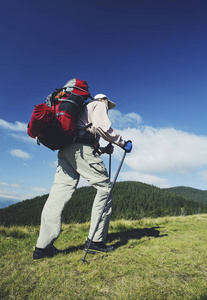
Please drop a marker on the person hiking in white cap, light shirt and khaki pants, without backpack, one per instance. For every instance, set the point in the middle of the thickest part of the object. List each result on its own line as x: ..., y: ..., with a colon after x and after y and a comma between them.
x: 82, y: 158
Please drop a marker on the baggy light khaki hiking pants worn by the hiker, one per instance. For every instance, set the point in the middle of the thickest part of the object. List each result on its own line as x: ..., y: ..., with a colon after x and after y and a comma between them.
x: 73, y: 161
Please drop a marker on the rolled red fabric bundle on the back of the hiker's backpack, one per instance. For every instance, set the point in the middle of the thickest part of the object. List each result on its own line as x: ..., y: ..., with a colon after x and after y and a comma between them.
x: 42, y: 115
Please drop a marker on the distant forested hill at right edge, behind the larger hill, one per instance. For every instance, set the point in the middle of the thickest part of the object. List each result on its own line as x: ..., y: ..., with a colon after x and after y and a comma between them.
x: 190, y: 193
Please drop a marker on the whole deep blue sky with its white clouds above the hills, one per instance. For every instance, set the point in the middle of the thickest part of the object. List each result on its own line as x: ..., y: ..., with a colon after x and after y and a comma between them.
x: 148, y: 56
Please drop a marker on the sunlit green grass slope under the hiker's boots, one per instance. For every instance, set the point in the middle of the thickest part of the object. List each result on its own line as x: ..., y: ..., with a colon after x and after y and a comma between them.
x: 163, y: 258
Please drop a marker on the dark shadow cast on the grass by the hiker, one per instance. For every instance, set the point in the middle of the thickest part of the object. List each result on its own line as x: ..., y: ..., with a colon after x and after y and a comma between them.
x: 123, y: 237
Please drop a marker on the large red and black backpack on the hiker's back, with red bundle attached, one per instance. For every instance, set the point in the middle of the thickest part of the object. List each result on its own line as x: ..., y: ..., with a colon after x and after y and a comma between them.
x: 53, y: 122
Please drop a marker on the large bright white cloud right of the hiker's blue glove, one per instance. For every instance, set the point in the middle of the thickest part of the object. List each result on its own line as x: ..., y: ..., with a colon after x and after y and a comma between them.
x: 165, y: 150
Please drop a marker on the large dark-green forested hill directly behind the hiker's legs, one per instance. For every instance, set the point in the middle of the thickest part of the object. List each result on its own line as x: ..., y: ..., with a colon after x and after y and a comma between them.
x: 131, y: 200
